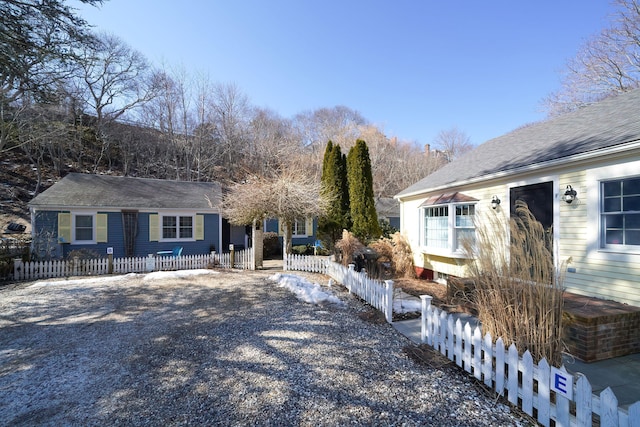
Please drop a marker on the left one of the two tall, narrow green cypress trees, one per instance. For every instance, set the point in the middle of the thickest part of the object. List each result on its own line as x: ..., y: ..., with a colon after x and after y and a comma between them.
x: 334, y: 186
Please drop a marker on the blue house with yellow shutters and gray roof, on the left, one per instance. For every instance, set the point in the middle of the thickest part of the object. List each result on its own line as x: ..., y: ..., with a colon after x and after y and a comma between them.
x: 131, y: 216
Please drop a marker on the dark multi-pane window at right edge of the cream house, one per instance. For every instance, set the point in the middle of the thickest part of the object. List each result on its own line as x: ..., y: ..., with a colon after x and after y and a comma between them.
x: 620, y: 212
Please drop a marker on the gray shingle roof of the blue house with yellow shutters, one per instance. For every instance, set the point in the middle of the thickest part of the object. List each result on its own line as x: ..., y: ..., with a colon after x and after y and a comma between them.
x: 103, y: 191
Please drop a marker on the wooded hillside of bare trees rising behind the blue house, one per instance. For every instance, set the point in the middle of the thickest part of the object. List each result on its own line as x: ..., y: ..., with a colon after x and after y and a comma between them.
x: 75, y: 101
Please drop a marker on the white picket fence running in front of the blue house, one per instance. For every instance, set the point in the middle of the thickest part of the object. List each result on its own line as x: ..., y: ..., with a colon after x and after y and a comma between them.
x: 92, y: 267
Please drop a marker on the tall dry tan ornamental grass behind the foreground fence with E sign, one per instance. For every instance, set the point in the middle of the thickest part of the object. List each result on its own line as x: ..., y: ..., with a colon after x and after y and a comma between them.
x: 517, y: 287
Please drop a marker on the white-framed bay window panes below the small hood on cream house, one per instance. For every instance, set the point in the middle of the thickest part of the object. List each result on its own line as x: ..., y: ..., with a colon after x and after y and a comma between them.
x: 446, y: 226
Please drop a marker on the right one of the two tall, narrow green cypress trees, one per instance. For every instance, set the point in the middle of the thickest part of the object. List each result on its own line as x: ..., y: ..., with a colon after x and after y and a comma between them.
x: 362, y: 206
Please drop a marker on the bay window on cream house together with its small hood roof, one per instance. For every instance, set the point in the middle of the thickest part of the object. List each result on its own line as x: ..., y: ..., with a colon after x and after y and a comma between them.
x: 448, y: 223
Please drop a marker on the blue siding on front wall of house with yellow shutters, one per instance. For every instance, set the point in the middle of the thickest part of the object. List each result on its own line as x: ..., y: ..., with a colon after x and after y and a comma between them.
x: 47, y: 222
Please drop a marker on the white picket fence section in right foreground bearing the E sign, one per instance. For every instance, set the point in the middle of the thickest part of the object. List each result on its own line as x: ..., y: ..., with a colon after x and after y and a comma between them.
x: 526, y: 384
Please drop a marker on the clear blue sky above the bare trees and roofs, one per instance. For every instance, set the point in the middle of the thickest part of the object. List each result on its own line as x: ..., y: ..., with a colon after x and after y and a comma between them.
x: 412, y: 67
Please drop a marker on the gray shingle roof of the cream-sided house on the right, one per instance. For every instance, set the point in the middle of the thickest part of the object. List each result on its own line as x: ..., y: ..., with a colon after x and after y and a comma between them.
x: 605, y: 124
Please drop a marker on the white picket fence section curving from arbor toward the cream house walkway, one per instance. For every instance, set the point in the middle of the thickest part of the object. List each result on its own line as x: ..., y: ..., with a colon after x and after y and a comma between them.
x: 377, y: 293
